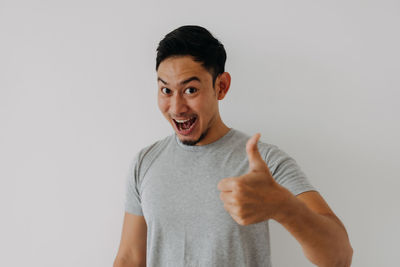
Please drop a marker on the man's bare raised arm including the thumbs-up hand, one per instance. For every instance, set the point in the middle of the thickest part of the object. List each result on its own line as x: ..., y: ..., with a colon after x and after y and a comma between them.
x: 256, y: 196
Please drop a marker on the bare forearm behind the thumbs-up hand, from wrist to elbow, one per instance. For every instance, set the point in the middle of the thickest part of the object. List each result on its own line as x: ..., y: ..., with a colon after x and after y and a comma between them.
x: 323, y: 238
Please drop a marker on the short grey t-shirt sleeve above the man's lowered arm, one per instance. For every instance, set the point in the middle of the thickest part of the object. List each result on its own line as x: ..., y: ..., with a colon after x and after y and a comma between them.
x: 132, y: 195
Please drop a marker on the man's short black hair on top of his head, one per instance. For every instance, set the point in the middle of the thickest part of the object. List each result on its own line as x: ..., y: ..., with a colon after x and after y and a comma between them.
x: 195, y: 41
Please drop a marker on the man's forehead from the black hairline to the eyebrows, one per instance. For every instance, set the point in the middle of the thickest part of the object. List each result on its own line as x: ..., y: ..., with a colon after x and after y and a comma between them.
x: 177, y: 68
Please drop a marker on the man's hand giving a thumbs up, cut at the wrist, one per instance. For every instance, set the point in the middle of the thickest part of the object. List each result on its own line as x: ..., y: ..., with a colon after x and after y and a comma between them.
x: 255, y: 196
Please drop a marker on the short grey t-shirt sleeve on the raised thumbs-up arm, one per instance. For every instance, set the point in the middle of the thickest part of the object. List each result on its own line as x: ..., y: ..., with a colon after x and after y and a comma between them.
x: 287, y: 172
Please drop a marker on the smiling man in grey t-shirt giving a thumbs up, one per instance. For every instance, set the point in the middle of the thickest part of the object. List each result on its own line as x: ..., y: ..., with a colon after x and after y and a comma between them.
x: 203, y: 195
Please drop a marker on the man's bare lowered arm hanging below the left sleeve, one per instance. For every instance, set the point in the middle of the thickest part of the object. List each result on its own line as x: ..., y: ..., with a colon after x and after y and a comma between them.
x: 132, y: 249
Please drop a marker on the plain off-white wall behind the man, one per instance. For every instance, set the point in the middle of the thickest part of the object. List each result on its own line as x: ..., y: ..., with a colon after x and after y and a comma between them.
x: 320, y: 79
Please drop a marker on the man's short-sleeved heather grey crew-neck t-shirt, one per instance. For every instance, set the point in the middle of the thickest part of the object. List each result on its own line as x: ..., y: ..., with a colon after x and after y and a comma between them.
x: 175, y: 187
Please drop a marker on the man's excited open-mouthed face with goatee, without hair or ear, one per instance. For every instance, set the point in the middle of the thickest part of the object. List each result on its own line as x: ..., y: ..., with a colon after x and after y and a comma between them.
x: 186, y: 98
